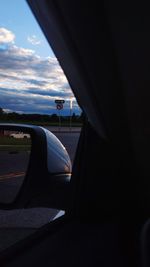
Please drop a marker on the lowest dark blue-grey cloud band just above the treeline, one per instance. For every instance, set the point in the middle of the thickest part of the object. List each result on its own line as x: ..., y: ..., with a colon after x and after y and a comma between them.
x: 21, y: 102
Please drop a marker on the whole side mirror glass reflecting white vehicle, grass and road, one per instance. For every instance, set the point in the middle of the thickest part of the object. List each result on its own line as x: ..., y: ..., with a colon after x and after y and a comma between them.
x: 15, y: 148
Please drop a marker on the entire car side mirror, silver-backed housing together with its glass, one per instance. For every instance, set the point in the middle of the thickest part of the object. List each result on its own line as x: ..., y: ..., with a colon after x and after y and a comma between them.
x: 35, y: 168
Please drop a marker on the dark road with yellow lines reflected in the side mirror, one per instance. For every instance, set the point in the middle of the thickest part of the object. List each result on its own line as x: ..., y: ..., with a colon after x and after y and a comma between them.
x: 13, y: 167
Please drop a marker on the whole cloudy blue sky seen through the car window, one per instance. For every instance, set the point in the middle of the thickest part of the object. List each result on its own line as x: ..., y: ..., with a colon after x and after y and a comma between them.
x: 30, y: 75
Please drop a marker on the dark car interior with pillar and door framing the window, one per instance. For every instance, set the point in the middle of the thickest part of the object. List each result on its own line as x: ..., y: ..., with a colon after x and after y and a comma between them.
x: 104, y: 50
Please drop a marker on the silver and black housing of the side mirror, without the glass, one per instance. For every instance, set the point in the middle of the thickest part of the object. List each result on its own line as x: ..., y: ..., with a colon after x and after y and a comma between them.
x: 47, y: 179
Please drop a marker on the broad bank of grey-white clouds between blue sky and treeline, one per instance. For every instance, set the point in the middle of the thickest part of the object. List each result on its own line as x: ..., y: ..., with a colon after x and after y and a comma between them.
x: 30, y: 83
